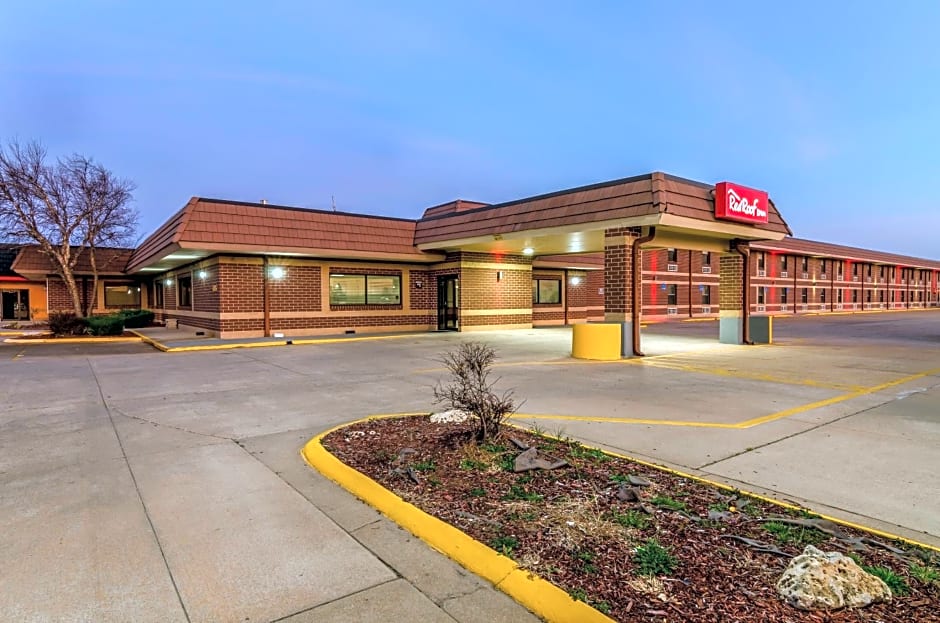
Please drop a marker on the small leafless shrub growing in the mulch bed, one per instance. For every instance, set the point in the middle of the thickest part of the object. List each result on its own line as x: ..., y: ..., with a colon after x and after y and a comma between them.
x: 470, y: 389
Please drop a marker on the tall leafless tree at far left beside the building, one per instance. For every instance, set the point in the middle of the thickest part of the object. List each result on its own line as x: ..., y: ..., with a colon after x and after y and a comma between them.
x: 65, y: 208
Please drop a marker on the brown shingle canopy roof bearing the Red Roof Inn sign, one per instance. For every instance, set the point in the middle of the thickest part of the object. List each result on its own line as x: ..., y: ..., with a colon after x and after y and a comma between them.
x: 650, y: 194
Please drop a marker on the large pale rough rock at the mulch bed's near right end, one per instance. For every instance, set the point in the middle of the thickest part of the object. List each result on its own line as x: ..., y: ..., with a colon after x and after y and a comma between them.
x: 817, y: 580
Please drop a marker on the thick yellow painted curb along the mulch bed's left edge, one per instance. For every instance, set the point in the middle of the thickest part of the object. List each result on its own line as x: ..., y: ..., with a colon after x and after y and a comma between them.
x: 541, y: 597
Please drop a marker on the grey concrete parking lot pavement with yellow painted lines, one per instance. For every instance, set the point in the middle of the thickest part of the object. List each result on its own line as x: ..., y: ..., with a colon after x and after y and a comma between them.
x: 139, y: 485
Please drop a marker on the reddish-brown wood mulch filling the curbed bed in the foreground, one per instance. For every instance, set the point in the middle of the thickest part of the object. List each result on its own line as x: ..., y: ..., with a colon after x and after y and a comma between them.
x: 569, y: 526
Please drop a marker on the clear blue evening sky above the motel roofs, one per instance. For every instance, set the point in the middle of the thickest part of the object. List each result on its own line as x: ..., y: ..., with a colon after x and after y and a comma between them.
x: 391, y: 109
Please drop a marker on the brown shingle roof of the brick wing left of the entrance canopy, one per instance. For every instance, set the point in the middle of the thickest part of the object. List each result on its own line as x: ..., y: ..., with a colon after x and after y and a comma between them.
x: 219, y: 225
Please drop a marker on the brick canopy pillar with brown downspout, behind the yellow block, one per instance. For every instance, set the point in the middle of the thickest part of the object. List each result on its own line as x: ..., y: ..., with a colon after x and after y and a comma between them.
x: 618, y: 278
